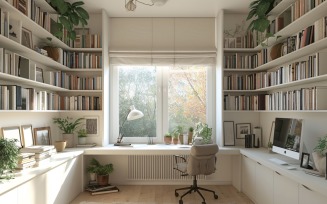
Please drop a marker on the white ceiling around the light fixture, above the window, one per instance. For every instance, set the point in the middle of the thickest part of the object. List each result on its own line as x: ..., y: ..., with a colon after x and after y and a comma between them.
x: 173, y: 8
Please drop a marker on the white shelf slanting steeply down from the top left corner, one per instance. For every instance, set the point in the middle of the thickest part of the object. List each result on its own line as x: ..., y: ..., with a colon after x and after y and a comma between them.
x: 28, y: 23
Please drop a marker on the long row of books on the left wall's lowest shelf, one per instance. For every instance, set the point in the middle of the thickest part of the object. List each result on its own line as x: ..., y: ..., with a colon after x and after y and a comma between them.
x: 14, y: 97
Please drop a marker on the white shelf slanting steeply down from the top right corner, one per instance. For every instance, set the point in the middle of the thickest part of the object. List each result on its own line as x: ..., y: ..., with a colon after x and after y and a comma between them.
x: 299, y: 24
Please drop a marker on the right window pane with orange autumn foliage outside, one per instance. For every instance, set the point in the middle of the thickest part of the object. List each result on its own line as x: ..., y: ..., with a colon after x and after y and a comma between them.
x: 187, y: 96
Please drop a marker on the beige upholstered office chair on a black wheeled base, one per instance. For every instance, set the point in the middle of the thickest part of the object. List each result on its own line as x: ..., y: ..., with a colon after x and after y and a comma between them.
x: 201, y: 161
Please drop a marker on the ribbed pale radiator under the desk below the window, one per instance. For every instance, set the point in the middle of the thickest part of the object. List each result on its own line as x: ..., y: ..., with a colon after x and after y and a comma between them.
x: 154, y: 167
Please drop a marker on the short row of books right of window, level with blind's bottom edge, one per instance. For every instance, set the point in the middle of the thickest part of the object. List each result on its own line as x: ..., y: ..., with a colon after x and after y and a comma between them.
x: 240, y: 61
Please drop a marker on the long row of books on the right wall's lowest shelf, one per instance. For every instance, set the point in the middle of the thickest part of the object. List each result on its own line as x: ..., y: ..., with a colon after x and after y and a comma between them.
x: 313, y: 98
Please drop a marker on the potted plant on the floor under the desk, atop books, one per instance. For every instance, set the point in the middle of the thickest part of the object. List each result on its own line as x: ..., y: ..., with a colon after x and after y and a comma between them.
x: 102, y: 171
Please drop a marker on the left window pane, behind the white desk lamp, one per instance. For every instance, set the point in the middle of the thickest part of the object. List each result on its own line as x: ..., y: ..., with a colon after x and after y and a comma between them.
x: 138, y: 87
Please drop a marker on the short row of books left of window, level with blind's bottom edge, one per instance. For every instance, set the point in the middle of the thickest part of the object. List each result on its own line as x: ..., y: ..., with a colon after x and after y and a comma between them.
x: 82, y: 60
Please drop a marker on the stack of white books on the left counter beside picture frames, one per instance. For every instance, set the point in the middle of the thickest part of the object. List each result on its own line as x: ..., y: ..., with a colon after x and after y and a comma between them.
x: 42, y: 153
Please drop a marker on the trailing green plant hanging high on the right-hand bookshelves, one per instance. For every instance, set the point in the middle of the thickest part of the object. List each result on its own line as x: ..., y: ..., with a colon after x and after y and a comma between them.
x: 258, y: 16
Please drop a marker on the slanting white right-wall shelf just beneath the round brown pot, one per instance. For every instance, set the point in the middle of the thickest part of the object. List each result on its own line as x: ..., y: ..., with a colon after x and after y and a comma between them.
x: 309, y: 49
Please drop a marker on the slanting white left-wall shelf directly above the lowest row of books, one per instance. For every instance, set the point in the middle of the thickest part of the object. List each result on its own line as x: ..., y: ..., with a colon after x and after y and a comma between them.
x: 28, y: 82
